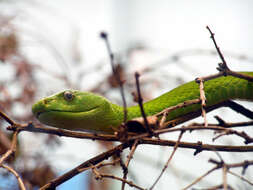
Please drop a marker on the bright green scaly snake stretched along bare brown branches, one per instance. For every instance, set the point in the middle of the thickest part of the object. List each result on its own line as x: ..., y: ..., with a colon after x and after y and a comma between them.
x: 91, y: 112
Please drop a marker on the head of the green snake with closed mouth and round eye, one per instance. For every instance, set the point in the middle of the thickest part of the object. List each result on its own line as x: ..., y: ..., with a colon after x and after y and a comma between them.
x: 72, y: 109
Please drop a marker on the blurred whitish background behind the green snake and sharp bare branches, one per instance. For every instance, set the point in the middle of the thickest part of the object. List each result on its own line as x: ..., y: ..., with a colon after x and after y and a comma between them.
x: 48, y: 46
